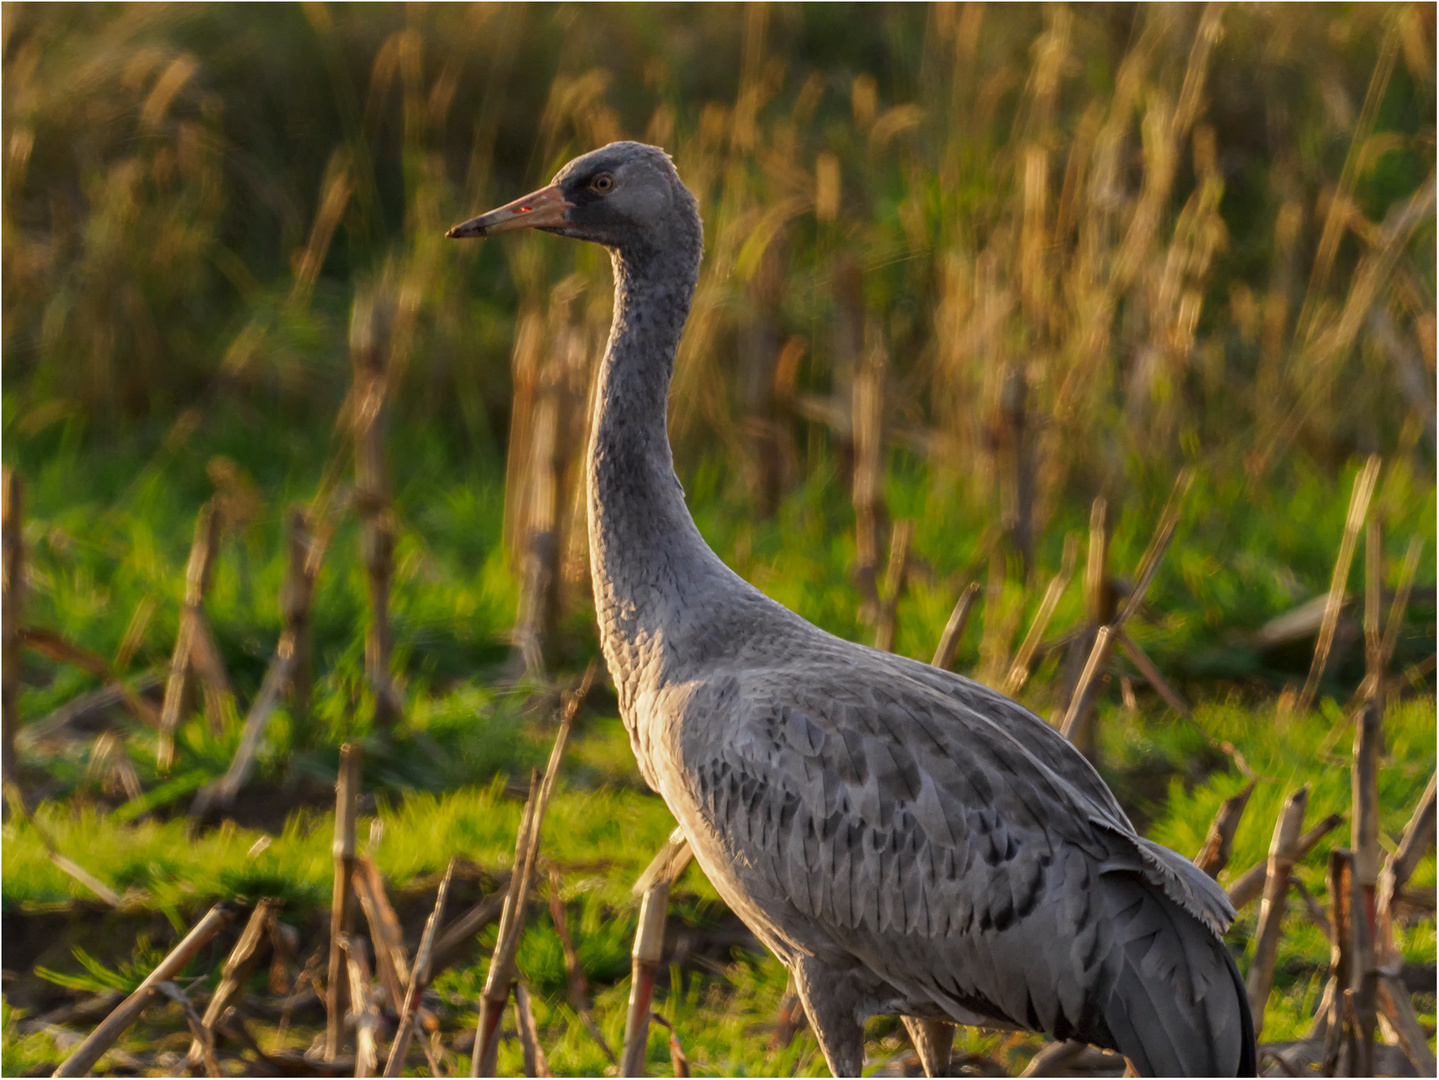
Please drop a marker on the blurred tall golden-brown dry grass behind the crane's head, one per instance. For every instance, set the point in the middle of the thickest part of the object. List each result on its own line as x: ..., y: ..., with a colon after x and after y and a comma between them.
x: 1201, y: 235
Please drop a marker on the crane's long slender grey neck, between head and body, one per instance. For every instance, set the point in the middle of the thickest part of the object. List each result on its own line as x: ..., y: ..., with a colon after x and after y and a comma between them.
x: 647, y: 557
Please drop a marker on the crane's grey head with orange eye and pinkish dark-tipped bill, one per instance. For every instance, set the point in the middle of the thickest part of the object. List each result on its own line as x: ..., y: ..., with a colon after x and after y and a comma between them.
x: 621, y: 195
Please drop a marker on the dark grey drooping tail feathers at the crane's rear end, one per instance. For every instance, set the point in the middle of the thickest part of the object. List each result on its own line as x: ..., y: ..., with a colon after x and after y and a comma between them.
x: 1176, y: 1003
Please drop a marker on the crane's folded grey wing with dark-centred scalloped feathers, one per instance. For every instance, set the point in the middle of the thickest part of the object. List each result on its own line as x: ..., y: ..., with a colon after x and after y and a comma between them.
x: 946, y: 841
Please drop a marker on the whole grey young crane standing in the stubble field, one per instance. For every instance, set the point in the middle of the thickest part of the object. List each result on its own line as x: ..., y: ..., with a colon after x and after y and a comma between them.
x: 906, y: 841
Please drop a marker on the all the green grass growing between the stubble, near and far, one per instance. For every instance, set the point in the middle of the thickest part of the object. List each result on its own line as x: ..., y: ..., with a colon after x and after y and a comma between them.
x: 440, y: 780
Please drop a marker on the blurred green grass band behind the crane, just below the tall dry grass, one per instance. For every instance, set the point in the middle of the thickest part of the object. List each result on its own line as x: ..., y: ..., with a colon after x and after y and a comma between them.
x: 104, y: 546
